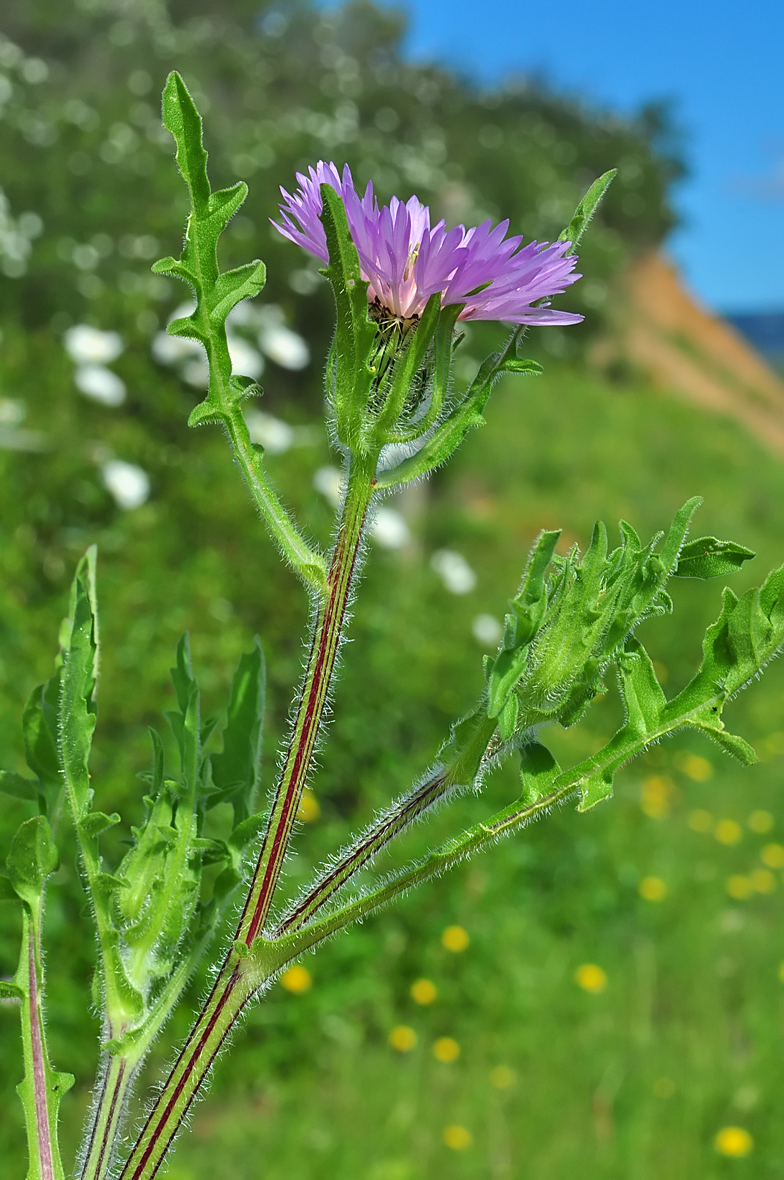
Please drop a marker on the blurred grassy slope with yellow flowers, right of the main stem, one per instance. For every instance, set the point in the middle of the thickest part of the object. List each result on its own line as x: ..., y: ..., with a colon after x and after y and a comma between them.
x: 685, y: 1039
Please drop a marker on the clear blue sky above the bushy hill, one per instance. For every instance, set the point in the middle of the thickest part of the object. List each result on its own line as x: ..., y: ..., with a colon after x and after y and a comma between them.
x: 722, y: 64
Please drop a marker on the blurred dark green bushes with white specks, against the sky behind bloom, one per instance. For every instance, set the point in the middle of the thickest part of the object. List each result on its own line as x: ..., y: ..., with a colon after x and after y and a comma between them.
x: 88, y: 204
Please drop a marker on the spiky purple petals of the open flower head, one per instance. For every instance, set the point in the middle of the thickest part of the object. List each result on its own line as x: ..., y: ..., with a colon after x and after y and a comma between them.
x: 406, y: 261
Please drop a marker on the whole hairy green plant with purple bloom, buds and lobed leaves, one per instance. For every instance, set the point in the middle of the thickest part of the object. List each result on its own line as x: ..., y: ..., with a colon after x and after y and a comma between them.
x: 182, y: 895
